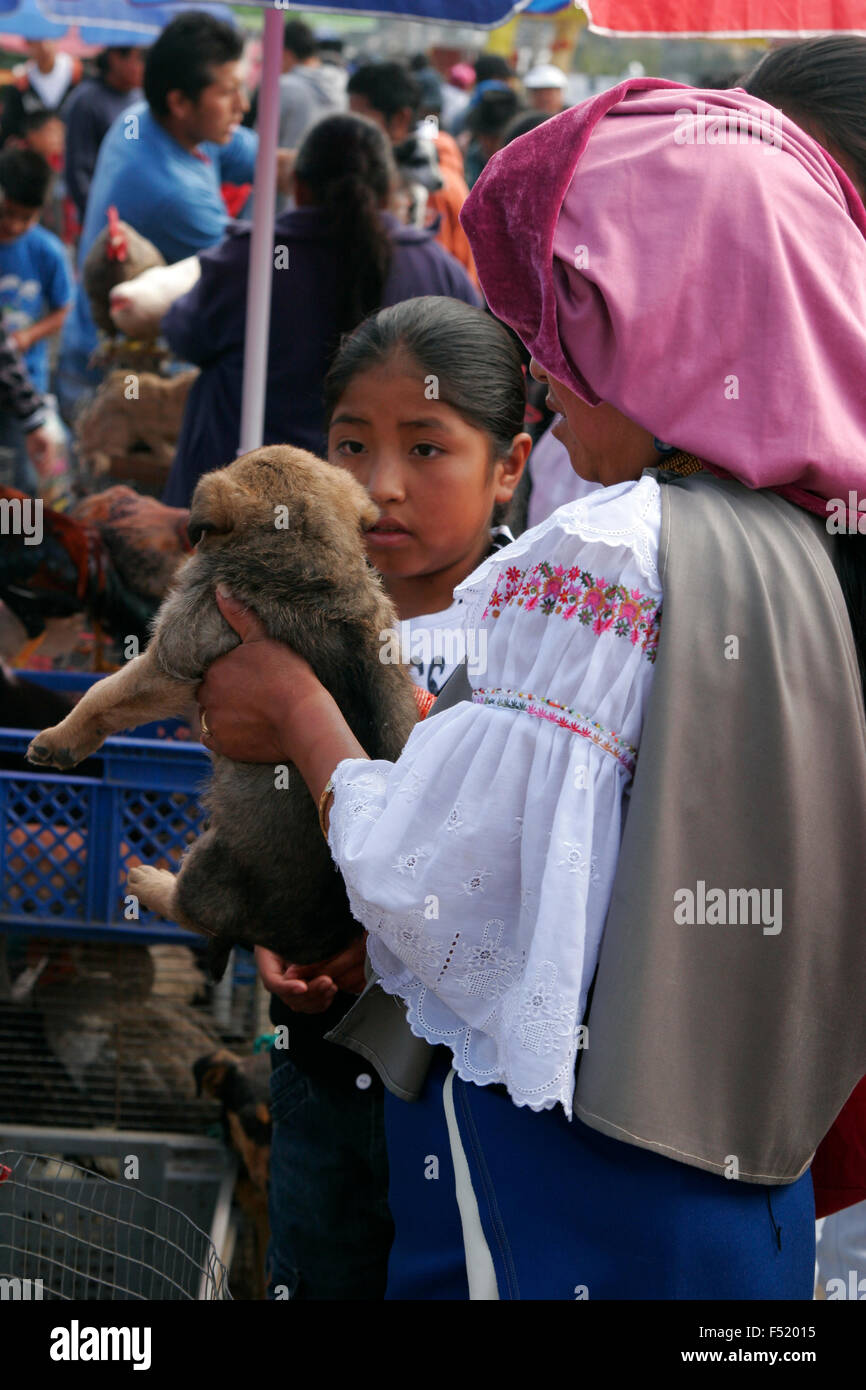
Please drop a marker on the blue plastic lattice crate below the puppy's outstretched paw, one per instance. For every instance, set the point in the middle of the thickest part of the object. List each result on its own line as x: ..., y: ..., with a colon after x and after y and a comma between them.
x: 67, y: 840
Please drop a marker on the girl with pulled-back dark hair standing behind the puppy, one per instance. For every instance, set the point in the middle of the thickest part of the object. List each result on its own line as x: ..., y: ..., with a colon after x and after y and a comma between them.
x: 426, y: 408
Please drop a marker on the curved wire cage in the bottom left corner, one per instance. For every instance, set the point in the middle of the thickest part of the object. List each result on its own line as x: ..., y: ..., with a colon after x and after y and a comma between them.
x: 67, y: 1234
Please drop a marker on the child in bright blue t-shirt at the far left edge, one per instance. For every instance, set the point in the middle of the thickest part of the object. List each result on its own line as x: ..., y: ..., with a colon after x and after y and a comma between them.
x: 35, y: 290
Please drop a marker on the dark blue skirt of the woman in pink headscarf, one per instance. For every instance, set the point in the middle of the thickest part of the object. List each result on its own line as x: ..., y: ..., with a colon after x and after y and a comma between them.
x: 568, y: 1213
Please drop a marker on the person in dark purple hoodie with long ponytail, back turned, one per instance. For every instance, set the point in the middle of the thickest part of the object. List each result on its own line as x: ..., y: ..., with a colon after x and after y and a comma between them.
x: 338, y: 256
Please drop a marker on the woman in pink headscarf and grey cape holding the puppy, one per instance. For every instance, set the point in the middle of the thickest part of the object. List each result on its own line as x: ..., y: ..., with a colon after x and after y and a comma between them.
x: 616, y: 889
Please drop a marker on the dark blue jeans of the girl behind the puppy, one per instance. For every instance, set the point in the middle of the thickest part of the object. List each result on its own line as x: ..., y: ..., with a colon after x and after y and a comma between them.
x: 332, y: 1227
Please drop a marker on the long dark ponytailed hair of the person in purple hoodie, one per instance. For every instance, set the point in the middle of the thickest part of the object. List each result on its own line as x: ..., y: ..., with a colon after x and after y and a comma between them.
x: 347, y: 165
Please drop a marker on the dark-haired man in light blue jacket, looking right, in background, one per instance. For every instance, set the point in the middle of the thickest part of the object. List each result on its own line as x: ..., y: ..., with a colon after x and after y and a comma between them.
x: 163, y: 163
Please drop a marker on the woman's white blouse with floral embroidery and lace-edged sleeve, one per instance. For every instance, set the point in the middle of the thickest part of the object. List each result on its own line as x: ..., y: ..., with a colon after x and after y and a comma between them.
x: 483, y: 861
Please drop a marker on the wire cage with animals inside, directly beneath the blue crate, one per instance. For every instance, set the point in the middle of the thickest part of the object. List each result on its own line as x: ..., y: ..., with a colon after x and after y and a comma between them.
x: 101, y: 1033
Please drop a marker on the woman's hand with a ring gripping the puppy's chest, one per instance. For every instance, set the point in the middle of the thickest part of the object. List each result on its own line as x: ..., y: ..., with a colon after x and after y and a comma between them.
x: 250, y: 696
